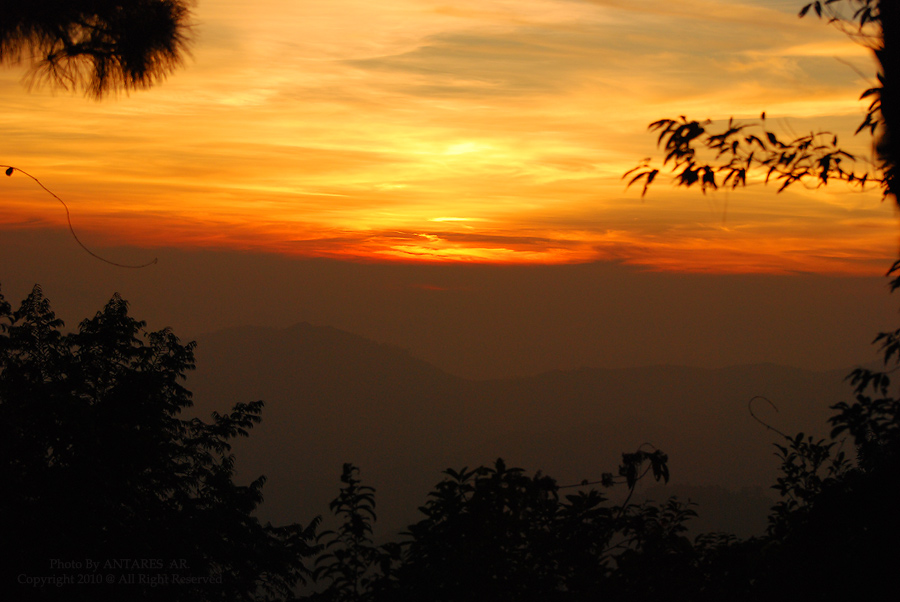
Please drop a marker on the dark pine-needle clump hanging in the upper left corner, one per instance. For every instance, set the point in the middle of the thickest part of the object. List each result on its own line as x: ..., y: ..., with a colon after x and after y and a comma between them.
x: 96, y: 45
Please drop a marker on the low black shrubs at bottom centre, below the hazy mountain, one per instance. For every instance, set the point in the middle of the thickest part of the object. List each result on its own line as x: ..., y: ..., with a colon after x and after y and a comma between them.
x: 496, y: 533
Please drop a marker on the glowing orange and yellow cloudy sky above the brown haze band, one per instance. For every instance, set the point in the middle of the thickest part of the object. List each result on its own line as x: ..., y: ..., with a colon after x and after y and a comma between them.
x: 481, y: 131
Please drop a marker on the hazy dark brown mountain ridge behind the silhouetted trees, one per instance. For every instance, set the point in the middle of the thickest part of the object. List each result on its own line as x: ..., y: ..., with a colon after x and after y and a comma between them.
x: 334, y: 397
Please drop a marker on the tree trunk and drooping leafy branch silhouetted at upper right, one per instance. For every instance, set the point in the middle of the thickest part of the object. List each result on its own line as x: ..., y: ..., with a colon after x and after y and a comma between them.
x: 713, y: 157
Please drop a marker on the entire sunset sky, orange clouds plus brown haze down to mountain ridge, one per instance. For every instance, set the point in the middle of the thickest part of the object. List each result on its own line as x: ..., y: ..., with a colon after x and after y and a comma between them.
x: 447, y: 177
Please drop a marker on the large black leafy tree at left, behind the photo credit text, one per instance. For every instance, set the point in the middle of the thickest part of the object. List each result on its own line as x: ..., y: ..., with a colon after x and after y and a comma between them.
x: 96, y: 464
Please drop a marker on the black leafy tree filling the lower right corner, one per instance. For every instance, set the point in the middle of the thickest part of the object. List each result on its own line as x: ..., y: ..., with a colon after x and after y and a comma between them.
x: 833, y: 535
